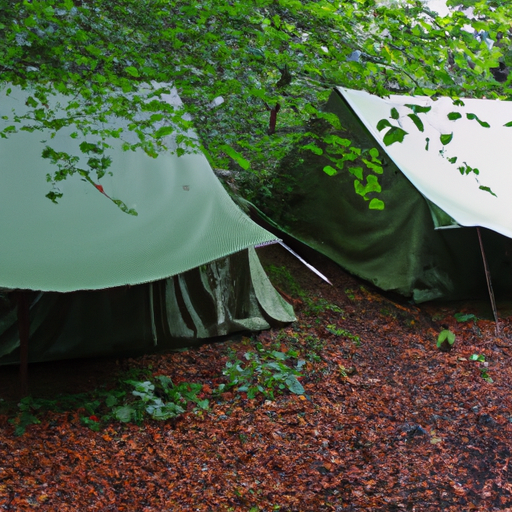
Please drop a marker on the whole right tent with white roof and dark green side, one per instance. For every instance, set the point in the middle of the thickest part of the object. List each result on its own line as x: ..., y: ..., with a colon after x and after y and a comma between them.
x: 423, y: 244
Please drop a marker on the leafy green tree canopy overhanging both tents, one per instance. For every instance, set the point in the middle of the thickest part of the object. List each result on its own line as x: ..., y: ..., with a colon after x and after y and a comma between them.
x: 252, y: 74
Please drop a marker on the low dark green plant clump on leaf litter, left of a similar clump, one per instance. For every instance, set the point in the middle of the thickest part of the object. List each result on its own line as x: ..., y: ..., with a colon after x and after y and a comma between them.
x: 160, y: 400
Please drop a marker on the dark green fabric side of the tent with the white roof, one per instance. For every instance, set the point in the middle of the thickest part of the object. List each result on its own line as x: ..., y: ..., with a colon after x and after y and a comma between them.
x: 397, y: 248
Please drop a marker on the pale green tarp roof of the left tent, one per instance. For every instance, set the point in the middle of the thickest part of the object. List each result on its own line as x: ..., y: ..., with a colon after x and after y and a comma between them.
x: 185, y: 217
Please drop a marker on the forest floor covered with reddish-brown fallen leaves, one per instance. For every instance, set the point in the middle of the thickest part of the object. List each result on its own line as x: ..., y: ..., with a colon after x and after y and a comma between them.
x: 386, y: 420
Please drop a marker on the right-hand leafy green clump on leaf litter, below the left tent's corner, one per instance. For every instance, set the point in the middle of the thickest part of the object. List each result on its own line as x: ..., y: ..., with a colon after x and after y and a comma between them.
x: 264, y: 371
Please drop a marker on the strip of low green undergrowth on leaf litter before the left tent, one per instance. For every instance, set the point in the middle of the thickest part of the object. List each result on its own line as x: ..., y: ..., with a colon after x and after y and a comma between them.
x: 140, y: 395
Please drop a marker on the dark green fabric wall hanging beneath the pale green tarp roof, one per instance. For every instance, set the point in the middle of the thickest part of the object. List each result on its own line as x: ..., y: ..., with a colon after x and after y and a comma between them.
x: 220, y: 298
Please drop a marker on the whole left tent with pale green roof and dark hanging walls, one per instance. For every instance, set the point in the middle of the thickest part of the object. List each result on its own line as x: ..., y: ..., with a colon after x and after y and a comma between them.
x: 106, y: 282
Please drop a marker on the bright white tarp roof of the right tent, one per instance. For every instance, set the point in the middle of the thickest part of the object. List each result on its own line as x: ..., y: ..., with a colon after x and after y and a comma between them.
x: 424, y: 159
